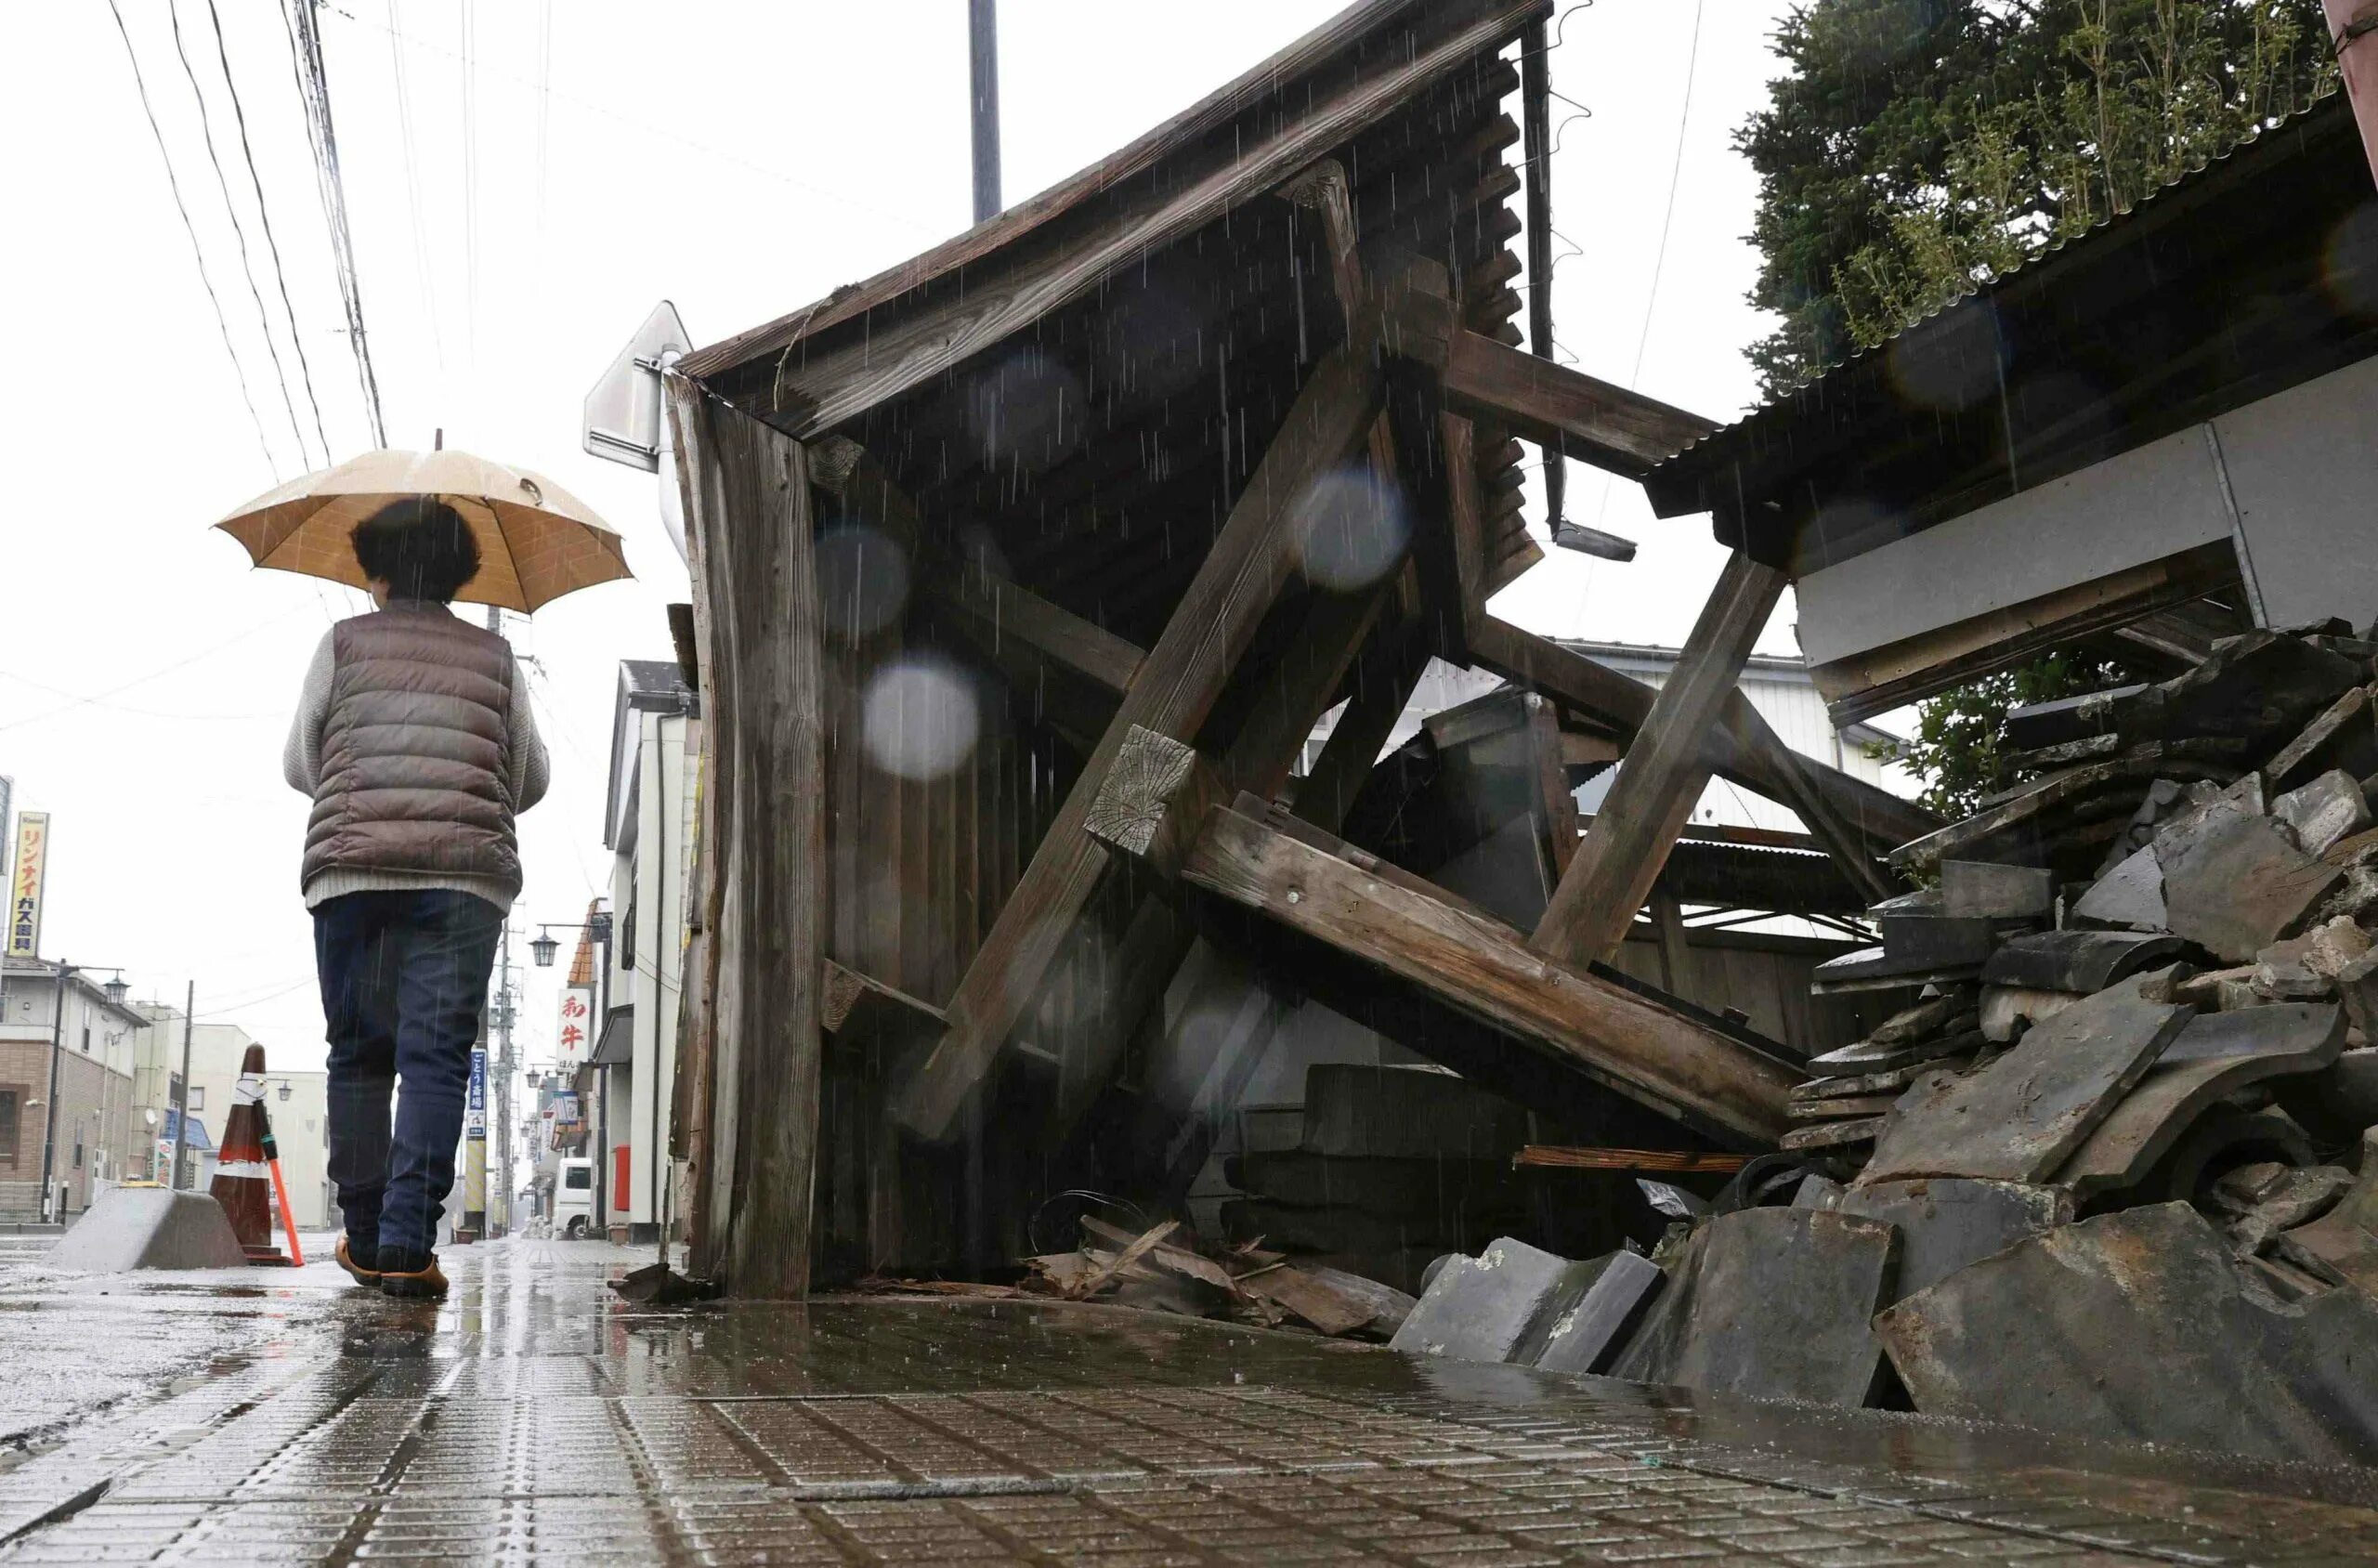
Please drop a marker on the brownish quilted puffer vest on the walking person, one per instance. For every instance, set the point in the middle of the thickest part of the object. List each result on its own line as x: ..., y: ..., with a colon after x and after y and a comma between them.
x: 415, y: 751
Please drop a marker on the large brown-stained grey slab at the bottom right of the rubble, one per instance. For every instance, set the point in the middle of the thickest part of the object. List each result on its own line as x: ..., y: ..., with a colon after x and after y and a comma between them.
x: 2139, y: 1329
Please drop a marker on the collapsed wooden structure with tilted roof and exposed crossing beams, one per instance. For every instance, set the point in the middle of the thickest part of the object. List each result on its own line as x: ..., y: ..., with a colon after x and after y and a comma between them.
x: 1021, y: 577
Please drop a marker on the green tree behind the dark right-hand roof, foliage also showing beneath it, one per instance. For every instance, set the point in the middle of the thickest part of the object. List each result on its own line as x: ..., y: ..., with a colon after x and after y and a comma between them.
x: 1918, y: 149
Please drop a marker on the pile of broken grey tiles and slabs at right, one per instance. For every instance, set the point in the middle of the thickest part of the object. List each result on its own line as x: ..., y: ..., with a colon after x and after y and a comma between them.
x: 2115, y: 1169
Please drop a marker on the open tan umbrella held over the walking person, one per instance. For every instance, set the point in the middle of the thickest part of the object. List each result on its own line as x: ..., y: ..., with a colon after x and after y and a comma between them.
x: 536, y: 541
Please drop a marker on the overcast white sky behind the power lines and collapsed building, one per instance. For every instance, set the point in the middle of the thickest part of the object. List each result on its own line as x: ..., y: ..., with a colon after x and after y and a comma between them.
x: 524, y: 182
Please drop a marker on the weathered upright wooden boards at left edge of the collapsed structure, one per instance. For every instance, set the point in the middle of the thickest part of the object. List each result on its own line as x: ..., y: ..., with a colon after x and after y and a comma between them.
x: 760, y: 596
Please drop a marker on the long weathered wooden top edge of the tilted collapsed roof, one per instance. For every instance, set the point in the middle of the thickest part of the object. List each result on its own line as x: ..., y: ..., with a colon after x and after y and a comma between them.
x: 1269, y: 80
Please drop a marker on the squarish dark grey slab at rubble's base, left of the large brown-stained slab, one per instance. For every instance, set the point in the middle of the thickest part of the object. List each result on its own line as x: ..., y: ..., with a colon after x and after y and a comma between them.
x: 1770, y: 1305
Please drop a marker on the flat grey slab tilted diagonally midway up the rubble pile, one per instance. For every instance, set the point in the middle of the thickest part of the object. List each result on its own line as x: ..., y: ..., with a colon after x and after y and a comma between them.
x: 2020, y: 1117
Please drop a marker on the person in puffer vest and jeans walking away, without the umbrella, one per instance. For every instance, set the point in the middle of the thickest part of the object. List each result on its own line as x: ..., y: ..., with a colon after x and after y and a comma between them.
x: 417, y: 748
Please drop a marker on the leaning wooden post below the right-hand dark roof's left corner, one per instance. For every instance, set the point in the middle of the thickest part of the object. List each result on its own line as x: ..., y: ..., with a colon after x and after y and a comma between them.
x: 1661, y: 777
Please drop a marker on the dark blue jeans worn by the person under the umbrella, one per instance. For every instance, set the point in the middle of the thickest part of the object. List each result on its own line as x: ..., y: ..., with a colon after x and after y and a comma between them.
x: 403, y: 986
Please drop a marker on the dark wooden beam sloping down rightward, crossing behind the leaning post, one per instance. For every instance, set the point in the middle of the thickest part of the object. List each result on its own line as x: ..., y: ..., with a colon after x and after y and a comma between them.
x: 1747, y: 753
